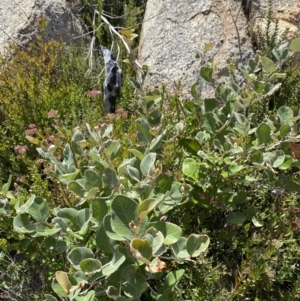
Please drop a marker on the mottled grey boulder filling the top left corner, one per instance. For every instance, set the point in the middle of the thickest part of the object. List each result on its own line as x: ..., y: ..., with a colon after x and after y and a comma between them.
x: 18, y: 21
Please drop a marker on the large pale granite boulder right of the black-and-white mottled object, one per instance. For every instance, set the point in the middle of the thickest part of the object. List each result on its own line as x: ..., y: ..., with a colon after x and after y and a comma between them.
x: 175, y: 31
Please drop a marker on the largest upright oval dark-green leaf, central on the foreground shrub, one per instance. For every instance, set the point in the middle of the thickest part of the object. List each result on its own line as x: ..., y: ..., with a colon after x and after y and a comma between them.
x: 124, y: 212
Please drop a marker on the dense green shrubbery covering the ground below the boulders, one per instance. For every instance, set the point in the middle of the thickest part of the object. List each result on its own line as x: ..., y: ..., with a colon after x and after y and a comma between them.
x: 109, y: 205
